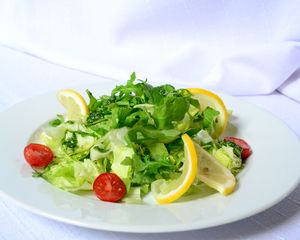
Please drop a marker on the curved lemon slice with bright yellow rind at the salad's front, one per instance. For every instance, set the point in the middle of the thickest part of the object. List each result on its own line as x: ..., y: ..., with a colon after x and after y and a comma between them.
x: 169, y: 191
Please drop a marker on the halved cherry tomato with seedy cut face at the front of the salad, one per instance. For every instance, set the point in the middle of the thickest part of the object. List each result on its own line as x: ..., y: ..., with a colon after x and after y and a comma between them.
x: 109, y: 187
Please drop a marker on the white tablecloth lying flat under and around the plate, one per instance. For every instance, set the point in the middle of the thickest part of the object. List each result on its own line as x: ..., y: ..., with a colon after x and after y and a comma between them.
x: 23, y: 76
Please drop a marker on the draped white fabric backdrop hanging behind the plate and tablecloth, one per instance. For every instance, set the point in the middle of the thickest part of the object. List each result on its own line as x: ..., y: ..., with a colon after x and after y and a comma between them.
x: 236, y: 47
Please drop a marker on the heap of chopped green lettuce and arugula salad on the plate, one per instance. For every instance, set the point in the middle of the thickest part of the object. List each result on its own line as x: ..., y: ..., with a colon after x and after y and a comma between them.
x: 134, y: 133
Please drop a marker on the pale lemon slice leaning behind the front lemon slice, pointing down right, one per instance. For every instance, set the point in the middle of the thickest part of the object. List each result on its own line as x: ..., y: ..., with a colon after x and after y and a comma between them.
x: 213, y: 173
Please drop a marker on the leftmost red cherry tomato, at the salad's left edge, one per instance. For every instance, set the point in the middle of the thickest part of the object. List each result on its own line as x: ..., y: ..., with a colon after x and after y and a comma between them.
x: 38, y: 155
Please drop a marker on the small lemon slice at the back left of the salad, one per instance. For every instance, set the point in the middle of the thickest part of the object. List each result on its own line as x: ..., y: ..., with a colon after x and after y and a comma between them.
x: 74, y: 103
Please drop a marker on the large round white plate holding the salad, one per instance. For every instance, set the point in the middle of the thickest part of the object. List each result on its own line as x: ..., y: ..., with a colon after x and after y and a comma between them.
x: 271, y: 173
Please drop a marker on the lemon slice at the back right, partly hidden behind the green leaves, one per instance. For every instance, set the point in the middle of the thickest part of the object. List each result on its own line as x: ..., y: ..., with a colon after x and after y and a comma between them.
x: 208, y: 98
